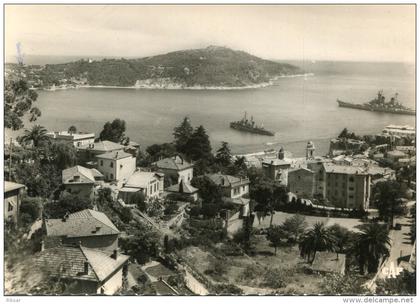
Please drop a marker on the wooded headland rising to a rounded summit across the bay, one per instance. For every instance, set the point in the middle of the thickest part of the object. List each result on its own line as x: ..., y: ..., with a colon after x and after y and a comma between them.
x: 210, y: 67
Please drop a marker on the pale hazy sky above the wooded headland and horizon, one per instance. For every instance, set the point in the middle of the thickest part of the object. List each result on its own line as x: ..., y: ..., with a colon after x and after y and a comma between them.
x: 327, y: 32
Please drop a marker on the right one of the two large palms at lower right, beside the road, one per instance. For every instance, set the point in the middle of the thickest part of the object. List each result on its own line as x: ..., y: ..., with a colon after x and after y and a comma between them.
x: 372, y: 244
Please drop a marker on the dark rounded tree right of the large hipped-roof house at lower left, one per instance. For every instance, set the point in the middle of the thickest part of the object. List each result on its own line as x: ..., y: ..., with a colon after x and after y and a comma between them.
x: 142, y: 244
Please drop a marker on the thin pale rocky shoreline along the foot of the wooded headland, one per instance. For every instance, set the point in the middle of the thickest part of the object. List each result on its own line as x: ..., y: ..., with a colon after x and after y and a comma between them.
x: 178, y: 86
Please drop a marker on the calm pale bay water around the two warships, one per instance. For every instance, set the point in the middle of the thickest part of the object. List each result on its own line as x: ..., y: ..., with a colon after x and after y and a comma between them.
x: 297, y: 109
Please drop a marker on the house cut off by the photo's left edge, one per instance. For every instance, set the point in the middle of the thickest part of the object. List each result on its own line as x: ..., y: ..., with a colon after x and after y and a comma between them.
x: 12, y: 199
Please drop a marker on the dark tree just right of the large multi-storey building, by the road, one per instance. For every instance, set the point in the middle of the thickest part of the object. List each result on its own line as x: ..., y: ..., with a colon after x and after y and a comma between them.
x: 386, y: 196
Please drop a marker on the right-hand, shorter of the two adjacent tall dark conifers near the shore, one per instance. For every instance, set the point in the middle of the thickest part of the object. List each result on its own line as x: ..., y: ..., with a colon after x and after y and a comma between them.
x: 199, y: 147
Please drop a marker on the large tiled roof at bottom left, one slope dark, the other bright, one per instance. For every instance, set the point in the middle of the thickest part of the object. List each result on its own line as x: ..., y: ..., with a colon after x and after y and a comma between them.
x: 68, y: 262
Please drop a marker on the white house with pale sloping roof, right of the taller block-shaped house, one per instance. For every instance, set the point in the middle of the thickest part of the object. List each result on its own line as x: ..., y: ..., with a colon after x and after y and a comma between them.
x: 149, y: 183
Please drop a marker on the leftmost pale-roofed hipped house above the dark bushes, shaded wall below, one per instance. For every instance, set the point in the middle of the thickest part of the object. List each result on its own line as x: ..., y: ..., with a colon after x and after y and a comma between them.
x: 81, y: 181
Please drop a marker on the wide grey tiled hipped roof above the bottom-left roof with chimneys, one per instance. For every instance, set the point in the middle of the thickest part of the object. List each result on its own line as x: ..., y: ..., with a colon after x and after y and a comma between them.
x: 83, y: 223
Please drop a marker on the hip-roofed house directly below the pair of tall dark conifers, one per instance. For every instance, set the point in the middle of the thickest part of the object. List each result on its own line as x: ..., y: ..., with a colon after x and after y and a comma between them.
x: 176, y: 168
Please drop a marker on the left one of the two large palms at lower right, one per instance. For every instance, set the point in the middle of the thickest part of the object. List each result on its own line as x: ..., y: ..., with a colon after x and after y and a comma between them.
x: 318, y: 238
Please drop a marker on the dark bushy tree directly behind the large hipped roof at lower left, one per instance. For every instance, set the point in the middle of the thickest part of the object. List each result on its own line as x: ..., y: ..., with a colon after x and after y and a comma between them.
x: 67, y: 203
